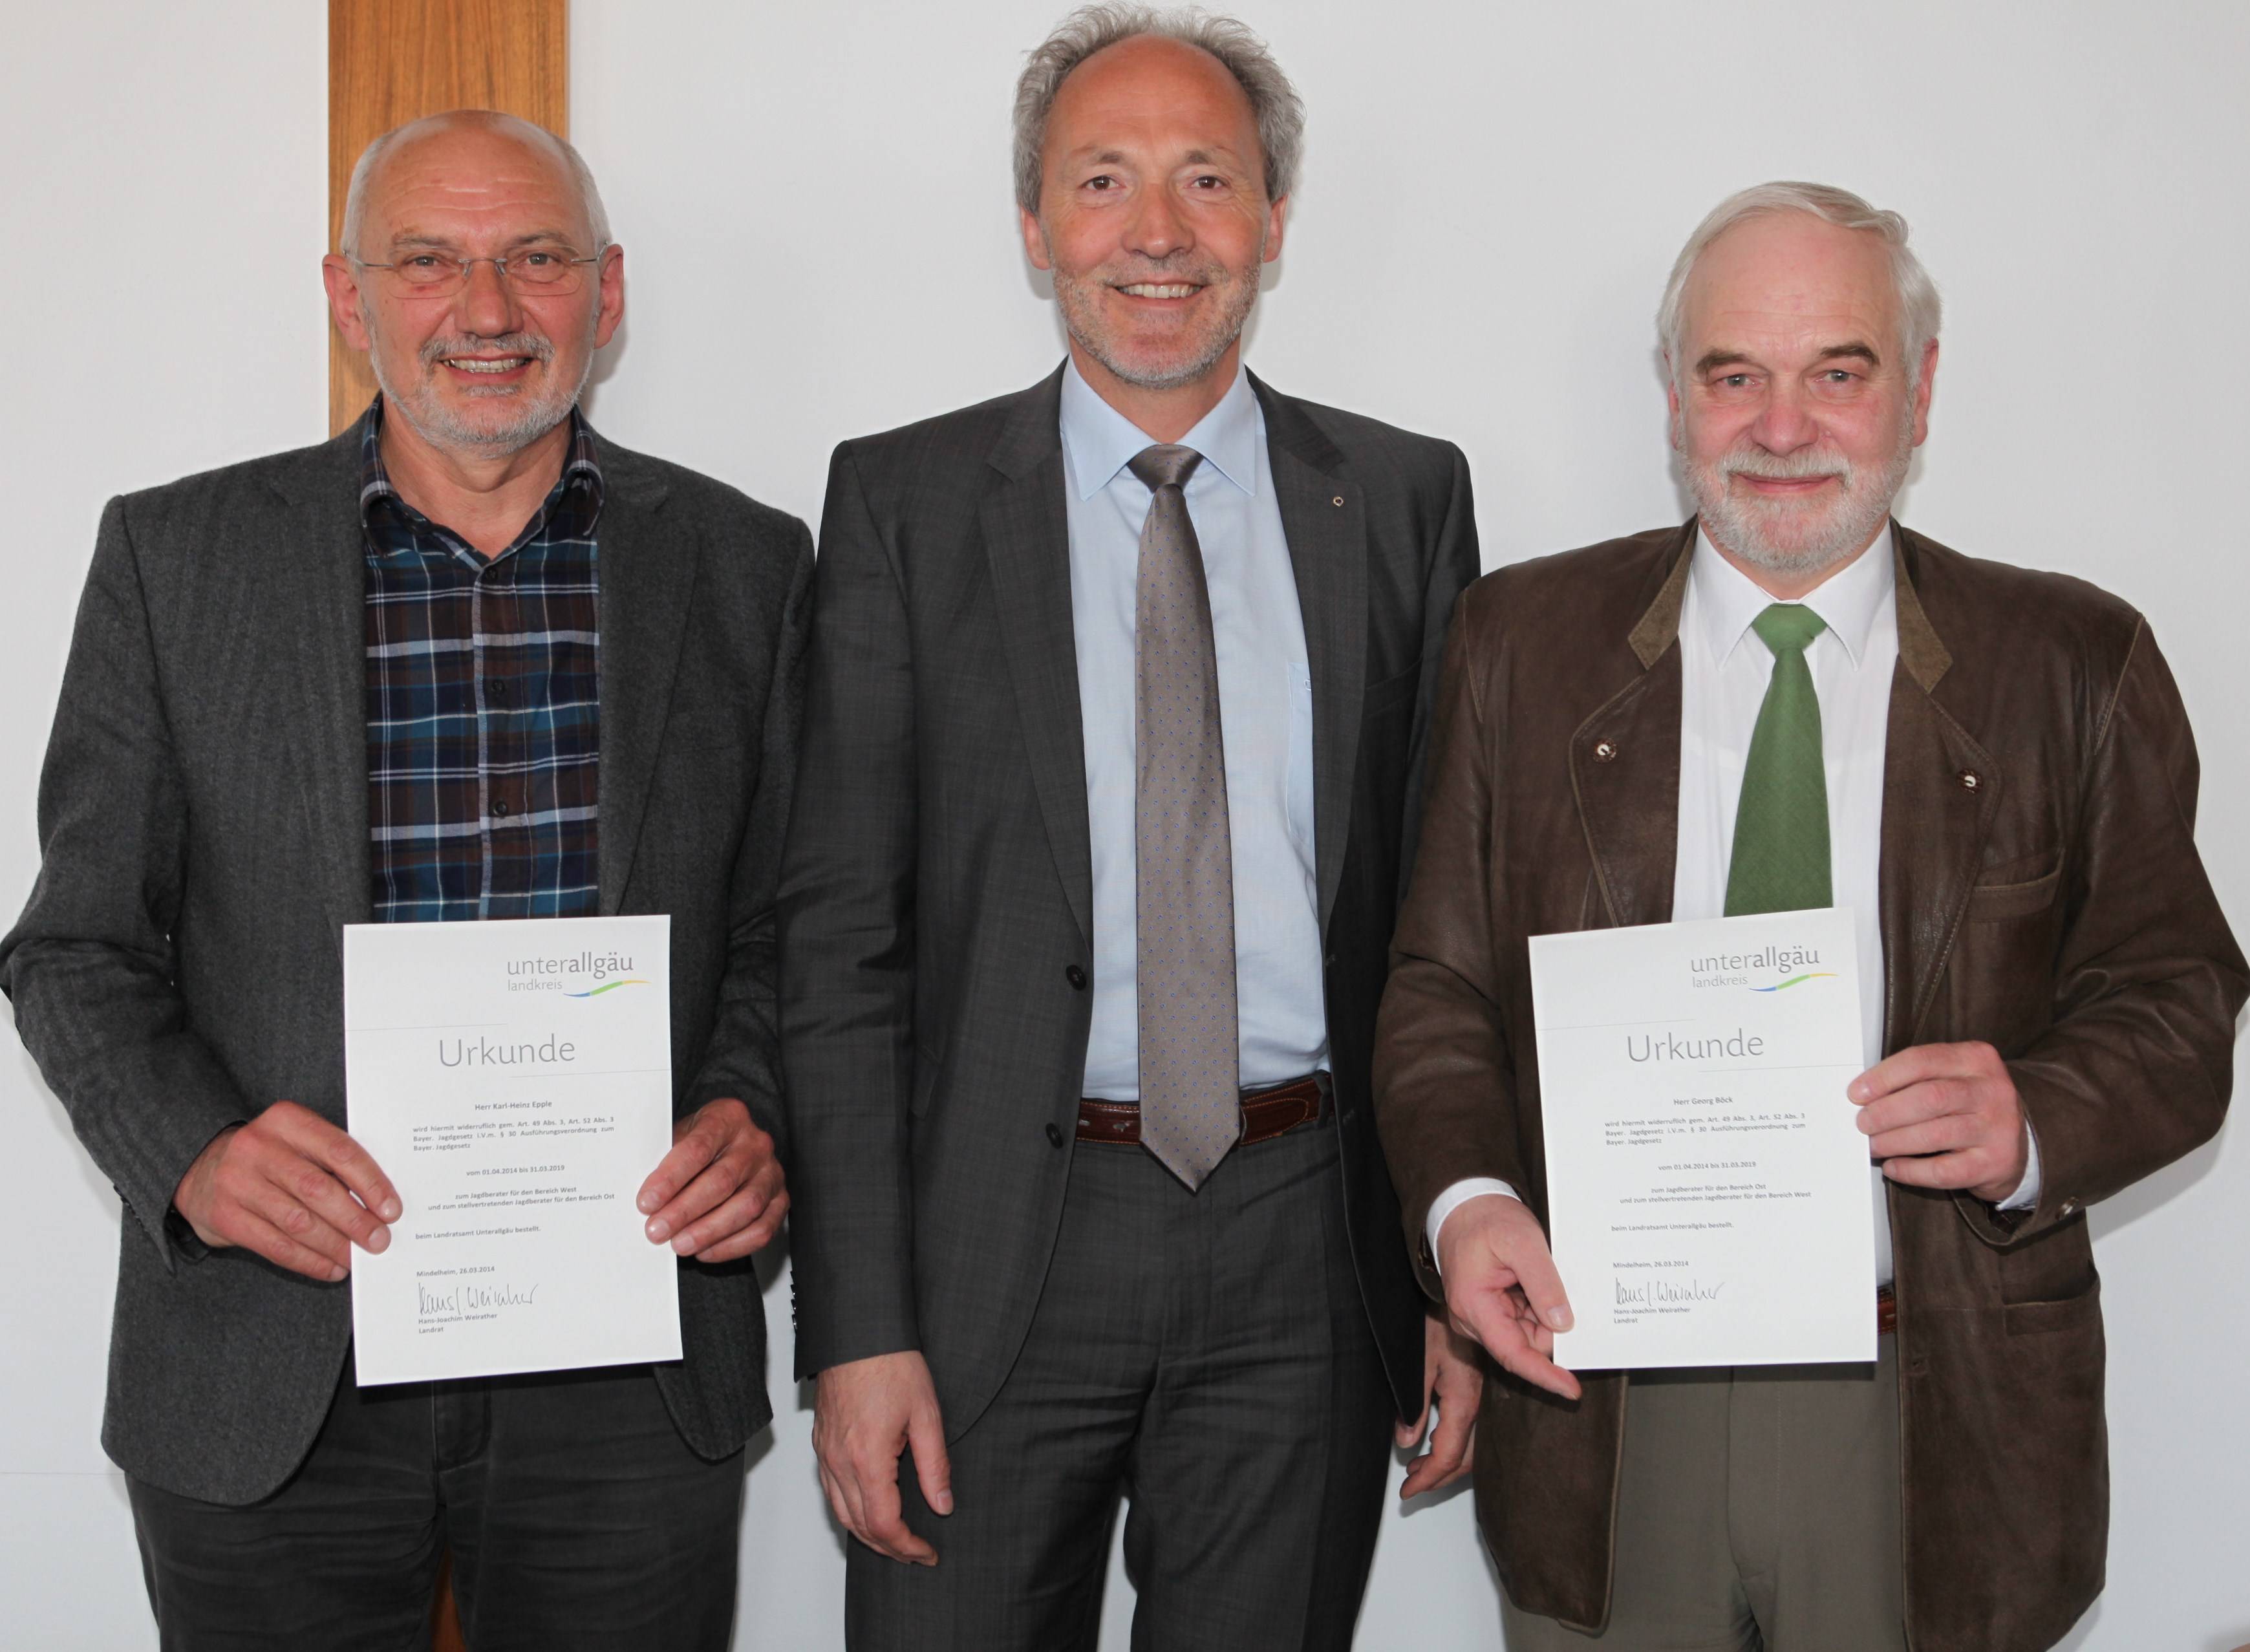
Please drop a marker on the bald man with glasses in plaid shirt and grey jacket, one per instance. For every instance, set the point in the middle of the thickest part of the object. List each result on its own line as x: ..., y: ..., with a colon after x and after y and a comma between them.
x: 467, y: 661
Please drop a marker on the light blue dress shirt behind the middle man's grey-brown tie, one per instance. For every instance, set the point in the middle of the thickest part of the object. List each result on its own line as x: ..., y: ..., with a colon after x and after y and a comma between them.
x: 1266, y: 724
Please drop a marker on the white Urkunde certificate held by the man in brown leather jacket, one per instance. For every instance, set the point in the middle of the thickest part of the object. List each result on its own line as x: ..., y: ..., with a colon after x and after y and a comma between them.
x: 1709, y: 1194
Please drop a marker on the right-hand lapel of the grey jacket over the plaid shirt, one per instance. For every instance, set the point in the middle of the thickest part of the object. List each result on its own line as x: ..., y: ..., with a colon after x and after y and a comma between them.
x: 647, y: 584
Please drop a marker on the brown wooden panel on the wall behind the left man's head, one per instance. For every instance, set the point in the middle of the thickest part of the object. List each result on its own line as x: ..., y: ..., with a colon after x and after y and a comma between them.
x: 397, y: 60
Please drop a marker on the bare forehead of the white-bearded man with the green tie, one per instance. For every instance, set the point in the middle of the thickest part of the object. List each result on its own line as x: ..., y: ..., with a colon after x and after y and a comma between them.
x: 1790, y: 282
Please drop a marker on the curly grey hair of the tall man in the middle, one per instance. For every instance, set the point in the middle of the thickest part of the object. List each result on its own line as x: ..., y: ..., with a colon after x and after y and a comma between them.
x: 1275, y: 102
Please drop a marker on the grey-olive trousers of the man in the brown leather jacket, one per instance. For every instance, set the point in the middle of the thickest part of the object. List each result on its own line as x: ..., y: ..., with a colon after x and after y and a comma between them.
x: 1758, y: 1514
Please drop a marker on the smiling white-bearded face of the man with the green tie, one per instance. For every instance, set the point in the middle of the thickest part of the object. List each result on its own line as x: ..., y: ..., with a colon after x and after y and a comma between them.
x: 1792, y: 404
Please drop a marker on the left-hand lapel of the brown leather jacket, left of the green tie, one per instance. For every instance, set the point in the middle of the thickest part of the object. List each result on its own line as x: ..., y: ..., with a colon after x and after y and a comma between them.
x: 1626, y: 762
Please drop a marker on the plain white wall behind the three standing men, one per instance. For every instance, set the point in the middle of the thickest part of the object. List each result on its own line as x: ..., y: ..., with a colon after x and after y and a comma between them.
x: 820, y: 244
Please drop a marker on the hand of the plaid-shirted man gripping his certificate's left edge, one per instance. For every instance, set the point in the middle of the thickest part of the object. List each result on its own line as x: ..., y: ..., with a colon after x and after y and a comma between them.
x: 294, y: 1189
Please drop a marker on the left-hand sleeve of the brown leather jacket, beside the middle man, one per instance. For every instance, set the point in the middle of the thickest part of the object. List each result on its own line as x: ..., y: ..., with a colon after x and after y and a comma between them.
x: 1443, y: 1068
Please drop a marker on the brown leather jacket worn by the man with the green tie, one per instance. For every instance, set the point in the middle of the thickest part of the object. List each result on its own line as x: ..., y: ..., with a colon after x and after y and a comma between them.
x: 2040, y: 890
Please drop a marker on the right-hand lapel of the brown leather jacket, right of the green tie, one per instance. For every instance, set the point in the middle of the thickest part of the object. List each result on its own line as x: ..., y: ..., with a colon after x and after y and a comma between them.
x: 1941, y: 796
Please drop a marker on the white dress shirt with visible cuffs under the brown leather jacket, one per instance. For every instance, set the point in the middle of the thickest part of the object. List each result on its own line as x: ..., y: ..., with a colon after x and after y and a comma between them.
x: 1725, y: 674
